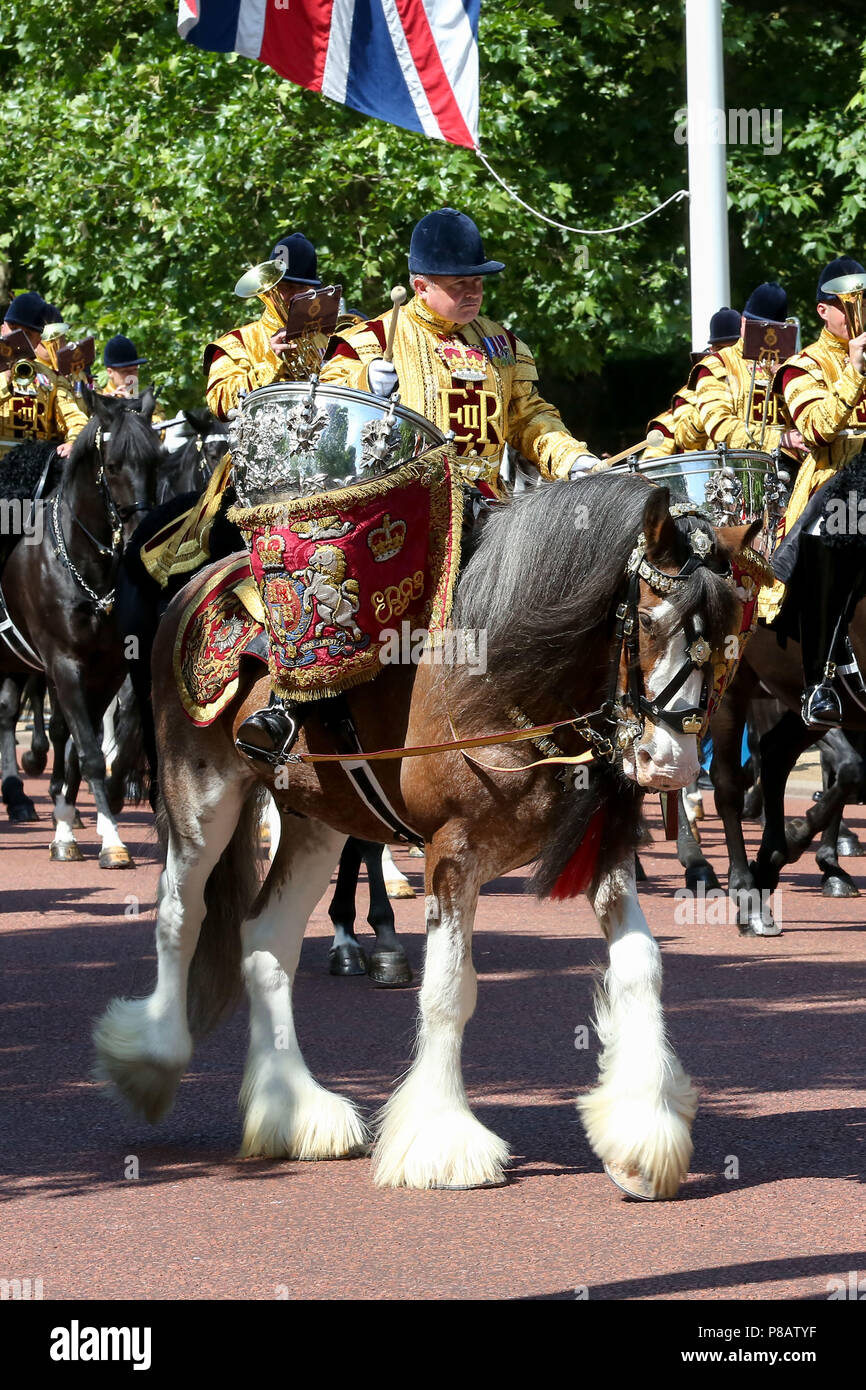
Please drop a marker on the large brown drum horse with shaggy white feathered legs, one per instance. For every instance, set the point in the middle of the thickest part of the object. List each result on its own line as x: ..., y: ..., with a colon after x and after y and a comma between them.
x: 557, y: 601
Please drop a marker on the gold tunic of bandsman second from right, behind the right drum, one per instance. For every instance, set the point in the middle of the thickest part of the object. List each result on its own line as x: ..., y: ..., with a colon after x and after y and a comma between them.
x: 722, y: 383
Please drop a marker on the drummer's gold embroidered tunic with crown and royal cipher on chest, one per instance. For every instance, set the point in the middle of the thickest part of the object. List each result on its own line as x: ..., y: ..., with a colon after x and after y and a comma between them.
x: 477, y: 380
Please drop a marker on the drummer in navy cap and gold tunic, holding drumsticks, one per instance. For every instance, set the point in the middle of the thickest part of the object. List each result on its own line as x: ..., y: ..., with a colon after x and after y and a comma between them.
x: 458, y: 369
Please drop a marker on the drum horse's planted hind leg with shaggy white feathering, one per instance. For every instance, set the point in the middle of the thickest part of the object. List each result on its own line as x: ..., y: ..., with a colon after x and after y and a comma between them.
x: 287, y: 1113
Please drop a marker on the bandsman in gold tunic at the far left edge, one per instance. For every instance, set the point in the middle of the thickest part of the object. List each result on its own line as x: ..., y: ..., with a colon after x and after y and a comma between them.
x: 35, y: 402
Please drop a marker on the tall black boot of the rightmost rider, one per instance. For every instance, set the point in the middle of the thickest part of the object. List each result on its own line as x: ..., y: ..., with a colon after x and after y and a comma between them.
x: 829, y: 582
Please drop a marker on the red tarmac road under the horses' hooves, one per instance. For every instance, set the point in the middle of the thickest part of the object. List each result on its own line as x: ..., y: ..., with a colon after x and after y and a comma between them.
x: 772, y: 1031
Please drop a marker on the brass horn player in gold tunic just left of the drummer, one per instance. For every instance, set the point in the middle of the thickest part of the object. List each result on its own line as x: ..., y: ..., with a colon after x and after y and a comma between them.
x: 261, y: 354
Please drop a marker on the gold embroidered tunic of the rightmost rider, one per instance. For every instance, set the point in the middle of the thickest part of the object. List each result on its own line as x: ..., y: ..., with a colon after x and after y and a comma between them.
x: 825, y: 397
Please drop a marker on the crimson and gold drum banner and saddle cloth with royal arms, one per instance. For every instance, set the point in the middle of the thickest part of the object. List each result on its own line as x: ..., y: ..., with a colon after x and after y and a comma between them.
x: 327, y: 582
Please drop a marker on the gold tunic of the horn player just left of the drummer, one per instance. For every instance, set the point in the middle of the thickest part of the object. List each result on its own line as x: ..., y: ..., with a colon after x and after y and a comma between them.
x: 244, y: 361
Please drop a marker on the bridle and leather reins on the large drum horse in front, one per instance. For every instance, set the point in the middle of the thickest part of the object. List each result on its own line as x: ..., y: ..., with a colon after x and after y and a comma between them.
x: 625, y: 712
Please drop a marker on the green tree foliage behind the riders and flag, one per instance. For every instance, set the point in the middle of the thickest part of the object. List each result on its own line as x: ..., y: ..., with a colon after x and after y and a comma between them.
x: 140, y: 176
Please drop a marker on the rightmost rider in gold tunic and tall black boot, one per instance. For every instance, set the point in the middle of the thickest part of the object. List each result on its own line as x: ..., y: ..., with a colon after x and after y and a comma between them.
x: 821, y: 561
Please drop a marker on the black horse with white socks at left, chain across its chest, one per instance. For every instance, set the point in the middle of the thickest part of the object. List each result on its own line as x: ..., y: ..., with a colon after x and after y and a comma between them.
x: 60, y: 597
